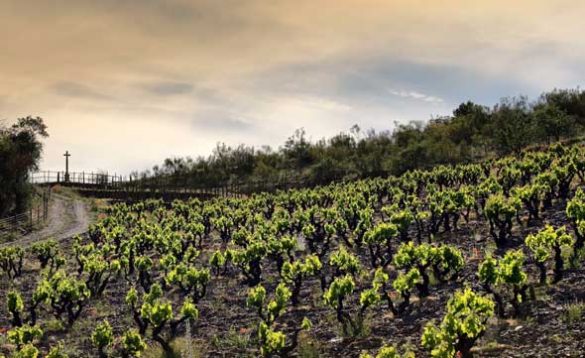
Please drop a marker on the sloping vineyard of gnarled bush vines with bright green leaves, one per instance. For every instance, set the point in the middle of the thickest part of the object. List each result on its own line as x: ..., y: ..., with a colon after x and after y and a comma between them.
x: 470, y: 260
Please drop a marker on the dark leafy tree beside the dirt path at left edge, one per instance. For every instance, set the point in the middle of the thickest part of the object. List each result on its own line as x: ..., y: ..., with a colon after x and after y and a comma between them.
x: 20, y: 152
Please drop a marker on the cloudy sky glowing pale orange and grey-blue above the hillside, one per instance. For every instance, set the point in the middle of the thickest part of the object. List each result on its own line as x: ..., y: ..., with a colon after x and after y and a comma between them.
x: 124, y: 84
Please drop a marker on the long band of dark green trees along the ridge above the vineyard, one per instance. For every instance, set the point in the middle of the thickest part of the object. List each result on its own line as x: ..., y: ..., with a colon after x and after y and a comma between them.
x: 472, y: 133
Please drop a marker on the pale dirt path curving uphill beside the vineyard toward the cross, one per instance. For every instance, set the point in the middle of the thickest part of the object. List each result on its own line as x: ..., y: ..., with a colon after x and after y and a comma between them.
x: 68, y: 216
